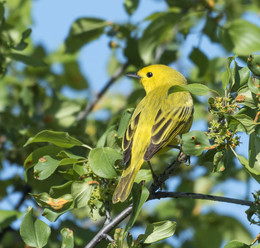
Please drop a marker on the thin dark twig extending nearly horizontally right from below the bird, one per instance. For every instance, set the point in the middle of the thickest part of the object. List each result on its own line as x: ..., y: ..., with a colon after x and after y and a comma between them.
x: 160, y: 194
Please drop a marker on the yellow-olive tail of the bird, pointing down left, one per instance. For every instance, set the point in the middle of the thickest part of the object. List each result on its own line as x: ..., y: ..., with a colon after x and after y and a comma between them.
x: 125, y: 184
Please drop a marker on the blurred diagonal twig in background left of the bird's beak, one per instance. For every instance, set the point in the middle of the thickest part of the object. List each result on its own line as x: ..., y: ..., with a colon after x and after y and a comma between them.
x: 118, y: 73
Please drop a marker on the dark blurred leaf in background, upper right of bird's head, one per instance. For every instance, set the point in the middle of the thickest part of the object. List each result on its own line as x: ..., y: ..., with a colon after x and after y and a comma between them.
x: 200, y: 60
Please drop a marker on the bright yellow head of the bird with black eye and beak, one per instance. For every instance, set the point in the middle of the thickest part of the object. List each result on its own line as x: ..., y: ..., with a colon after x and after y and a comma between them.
x: 154, y: 76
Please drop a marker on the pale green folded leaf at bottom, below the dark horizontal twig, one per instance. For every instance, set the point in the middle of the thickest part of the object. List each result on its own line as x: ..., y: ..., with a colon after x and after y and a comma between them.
x: 159, y: 231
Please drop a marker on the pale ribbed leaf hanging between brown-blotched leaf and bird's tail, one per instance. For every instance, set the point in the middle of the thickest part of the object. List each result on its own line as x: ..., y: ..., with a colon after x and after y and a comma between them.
x: 81, y: 192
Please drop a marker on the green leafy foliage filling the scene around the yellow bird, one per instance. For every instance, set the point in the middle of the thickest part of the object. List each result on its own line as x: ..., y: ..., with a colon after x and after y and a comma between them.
x: 72, y: 165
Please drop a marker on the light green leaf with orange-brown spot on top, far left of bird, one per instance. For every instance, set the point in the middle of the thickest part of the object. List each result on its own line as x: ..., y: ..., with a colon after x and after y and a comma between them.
x: 45, y: 167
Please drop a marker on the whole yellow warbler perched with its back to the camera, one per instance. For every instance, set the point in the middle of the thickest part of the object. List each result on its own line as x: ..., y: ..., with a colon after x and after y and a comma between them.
x: 155, y: 123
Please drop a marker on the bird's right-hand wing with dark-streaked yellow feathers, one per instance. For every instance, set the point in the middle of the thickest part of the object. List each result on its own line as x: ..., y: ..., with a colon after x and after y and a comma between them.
x: 170, y: 121
